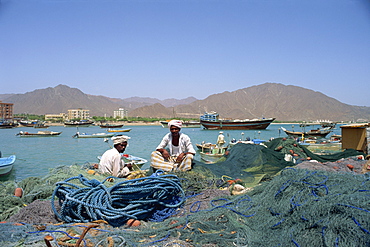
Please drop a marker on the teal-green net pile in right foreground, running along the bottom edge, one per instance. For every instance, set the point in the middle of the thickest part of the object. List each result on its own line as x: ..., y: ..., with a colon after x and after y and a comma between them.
x: 296, y: 208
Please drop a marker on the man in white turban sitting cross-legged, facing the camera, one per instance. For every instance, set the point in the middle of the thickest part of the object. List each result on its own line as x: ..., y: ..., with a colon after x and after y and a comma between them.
x: 175, y: 152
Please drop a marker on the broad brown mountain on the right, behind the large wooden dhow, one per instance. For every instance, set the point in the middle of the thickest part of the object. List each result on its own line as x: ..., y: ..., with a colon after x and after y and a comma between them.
x: 285, y: 103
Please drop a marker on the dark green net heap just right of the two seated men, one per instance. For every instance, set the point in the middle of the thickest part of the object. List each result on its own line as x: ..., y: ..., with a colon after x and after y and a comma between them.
x: 255, y: 163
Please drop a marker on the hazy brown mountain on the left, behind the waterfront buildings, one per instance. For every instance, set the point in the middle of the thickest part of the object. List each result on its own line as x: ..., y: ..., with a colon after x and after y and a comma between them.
x: 61, y: 98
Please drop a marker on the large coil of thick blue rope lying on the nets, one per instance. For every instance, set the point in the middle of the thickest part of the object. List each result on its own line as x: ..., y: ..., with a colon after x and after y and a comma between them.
x: 130, y: 199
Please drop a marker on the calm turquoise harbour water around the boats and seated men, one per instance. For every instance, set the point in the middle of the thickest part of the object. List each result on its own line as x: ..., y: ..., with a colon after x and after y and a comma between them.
x: 35, y: 155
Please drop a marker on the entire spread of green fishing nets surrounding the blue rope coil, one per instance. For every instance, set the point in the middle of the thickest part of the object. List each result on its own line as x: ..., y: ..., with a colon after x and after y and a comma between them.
x: 286, y: 207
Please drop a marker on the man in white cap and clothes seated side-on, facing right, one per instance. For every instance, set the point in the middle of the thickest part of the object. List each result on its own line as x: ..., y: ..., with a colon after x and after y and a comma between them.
x: 111, y: 162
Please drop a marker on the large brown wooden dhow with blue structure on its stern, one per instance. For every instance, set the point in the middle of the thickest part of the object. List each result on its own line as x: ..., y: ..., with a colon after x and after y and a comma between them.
x: 211, y: 121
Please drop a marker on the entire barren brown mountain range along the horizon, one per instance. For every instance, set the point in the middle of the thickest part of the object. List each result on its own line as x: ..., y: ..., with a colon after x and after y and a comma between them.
x: 284, y: 102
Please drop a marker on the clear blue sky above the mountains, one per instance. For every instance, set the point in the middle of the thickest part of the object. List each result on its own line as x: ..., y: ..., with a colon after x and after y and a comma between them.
x: 180, y: 48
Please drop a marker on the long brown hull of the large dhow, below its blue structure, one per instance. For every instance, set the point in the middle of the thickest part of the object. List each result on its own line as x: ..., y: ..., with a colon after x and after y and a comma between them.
x: 260, y: 124
